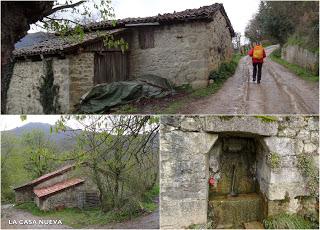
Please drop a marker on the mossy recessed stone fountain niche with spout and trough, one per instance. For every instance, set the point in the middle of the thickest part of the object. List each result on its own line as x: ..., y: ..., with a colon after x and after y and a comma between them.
x: 234, y: 197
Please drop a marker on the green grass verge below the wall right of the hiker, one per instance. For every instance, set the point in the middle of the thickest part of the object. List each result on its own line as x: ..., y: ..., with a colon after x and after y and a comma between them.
x: 301, y: 72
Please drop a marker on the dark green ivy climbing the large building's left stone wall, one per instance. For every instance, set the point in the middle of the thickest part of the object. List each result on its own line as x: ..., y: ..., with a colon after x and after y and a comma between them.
x: 48, y: 91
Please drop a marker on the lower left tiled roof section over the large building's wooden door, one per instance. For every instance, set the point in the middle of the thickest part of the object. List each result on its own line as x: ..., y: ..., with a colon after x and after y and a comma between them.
x: 58, y: 44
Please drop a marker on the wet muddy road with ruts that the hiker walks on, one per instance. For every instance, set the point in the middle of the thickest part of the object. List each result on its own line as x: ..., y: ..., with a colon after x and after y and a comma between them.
x: 280, y: 92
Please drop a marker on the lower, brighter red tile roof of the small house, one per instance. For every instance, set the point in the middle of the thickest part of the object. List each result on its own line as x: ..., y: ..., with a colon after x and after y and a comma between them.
x: 42, y: 192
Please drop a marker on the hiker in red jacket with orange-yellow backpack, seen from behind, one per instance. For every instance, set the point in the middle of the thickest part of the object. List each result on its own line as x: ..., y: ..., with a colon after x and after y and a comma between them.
x: 258, y: 54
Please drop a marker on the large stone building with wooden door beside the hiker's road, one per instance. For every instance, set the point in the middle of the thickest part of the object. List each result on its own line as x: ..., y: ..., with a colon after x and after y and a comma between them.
x: 50, y: 77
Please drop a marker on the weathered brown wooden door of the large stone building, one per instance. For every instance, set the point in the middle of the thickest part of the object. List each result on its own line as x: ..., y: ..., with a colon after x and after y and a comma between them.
x: 110, y: 67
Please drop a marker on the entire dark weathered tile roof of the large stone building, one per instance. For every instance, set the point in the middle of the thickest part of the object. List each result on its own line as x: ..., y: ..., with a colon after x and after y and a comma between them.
x: 58, y: 44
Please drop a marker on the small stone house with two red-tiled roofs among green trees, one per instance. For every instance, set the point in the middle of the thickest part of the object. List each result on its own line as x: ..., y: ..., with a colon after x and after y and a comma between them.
x: 62, y: 188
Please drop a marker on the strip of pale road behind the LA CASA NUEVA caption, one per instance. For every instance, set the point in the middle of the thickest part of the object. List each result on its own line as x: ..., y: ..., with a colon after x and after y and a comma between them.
x: 12, y: 218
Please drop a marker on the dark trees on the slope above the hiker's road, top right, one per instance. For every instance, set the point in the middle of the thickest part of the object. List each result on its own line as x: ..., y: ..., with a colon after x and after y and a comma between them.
x: 282, y: 22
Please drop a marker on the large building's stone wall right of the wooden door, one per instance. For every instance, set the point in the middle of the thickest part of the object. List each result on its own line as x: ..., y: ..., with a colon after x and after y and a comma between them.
x: 183, y: 53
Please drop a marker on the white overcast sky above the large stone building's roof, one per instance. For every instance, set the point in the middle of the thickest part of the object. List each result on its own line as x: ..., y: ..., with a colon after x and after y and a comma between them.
x: 239, y: 12
